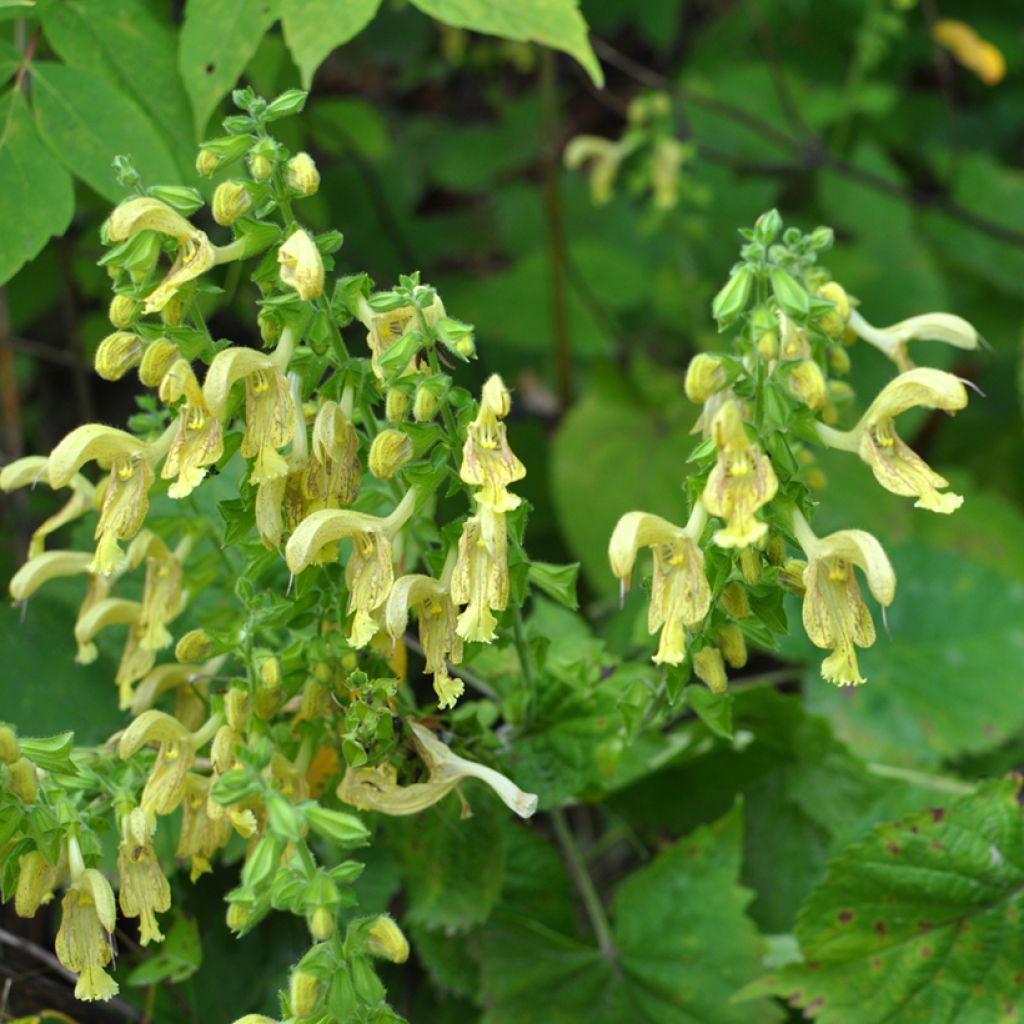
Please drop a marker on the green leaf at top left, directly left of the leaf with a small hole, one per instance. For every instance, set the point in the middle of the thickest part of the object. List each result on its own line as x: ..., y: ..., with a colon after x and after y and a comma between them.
x: 125, y: 41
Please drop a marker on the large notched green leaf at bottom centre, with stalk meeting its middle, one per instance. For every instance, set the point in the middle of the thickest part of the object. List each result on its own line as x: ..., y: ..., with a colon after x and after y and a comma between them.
x: 684, y: 947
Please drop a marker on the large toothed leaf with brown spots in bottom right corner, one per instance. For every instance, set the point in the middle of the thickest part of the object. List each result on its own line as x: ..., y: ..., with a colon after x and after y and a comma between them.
x: 919, y: 923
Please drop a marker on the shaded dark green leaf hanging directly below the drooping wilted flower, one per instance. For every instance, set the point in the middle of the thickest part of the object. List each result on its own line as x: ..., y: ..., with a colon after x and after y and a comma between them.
x: 454, y: 867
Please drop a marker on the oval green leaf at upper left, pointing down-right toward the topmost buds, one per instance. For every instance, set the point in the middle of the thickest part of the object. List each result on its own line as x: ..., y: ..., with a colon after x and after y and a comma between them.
x: 88, y: 122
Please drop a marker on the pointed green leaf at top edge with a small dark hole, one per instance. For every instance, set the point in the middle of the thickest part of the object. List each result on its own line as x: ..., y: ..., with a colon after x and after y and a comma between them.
x: 219, y: 38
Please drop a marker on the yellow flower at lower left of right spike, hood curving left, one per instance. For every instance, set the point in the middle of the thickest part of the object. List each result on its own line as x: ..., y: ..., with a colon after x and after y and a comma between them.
x: 680, y: 595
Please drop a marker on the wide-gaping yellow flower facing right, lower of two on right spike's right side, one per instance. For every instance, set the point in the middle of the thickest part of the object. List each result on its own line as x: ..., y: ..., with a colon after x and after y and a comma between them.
x: 897, y: 466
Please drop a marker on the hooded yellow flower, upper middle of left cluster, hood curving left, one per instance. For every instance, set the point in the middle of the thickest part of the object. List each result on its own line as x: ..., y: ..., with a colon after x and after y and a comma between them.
x: 271, y: 419
